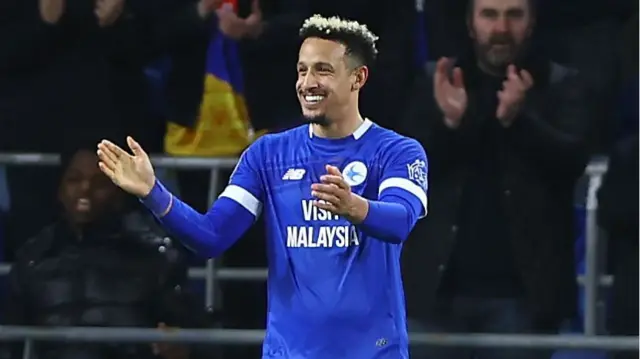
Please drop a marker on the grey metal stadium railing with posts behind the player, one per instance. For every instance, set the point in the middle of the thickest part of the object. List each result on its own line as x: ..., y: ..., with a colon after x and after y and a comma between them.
x: 591, y: 281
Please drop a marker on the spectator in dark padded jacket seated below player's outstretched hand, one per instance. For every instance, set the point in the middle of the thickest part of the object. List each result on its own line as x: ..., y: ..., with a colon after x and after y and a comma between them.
x: 101, y: 264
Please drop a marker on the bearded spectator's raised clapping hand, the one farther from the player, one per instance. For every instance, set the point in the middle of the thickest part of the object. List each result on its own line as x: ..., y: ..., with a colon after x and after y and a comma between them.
x: 512, y: 95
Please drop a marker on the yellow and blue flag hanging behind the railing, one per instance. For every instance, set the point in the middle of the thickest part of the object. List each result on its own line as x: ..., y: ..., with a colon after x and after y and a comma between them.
x: 223, y: 127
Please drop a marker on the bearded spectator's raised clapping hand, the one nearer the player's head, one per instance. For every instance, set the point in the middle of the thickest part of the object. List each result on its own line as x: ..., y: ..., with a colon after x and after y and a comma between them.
x: 450, y: 94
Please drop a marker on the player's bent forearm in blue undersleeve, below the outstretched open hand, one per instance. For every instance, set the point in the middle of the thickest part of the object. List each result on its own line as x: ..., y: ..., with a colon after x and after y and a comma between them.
x: 207, y: 234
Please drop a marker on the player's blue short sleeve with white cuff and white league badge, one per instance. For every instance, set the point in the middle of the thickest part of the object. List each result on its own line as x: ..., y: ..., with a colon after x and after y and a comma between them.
x: 404, y: 173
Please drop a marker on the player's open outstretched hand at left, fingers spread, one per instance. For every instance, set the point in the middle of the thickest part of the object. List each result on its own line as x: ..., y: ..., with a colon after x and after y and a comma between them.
x: 133, y: 174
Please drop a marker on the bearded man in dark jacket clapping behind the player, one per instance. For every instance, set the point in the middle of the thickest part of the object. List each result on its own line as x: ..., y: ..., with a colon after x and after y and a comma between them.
x: 506, y: 145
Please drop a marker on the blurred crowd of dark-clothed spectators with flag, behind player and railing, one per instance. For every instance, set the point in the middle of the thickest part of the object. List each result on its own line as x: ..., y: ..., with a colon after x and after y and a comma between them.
x: 510, y: 98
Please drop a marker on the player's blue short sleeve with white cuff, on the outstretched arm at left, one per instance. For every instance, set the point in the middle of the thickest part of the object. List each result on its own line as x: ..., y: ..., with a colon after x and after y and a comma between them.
x: 245, y: 184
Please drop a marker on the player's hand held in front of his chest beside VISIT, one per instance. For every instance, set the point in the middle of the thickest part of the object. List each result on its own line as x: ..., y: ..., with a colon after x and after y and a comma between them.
x: 334, y: 195
